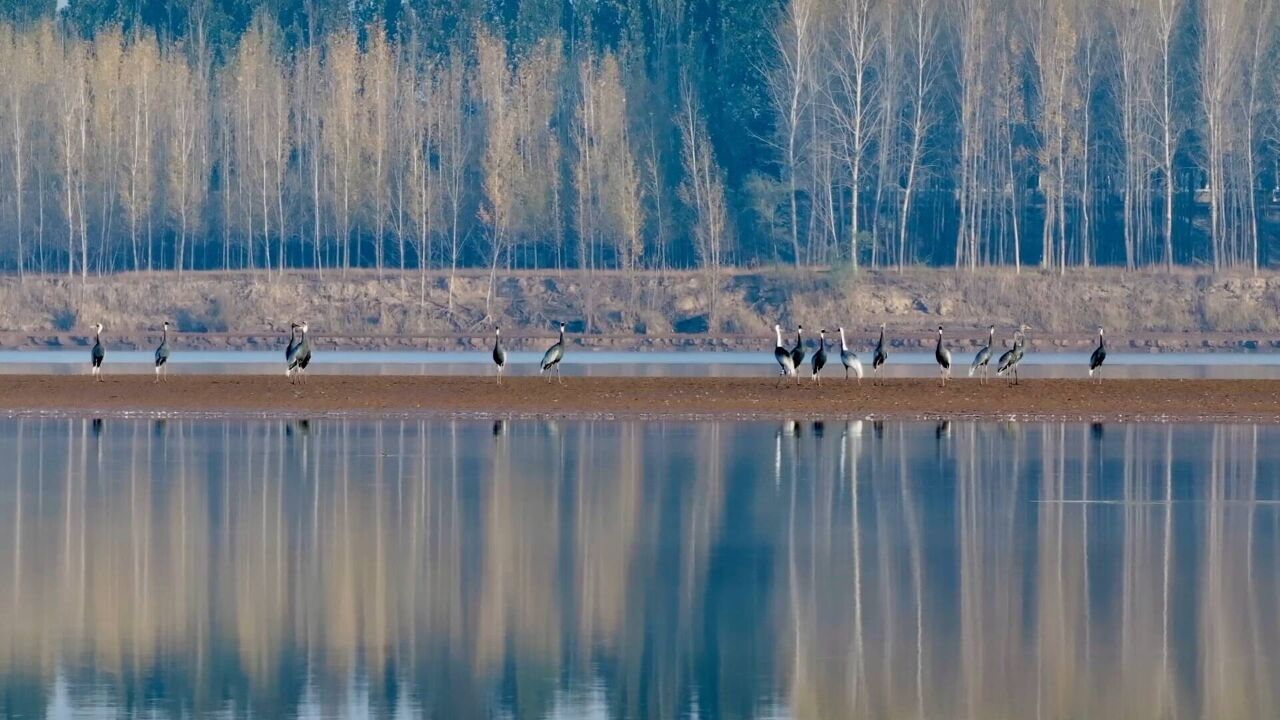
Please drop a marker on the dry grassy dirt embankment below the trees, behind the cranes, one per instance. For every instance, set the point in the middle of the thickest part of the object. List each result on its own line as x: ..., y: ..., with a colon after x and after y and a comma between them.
x: 1145, y: 311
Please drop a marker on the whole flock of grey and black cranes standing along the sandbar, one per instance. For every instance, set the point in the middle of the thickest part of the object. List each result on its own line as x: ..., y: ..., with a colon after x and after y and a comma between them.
x: 298, y: 356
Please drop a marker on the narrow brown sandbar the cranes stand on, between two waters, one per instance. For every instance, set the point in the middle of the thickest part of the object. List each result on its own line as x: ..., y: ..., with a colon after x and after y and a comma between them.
x: 639, y: 398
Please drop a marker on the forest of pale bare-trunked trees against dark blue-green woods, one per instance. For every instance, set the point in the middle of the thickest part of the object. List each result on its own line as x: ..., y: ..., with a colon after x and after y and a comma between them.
x: 426, y: 135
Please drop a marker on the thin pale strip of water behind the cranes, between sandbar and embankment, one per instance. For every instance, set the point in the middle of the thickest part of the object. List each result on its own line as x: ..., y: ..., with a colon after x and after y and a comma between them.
x: 1190, y: 366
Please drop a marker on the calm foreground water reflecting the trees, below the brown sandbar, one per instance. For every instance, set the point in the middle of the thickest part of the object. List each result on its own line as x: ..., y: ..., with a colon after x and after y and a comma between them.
x: 458, y: 569
